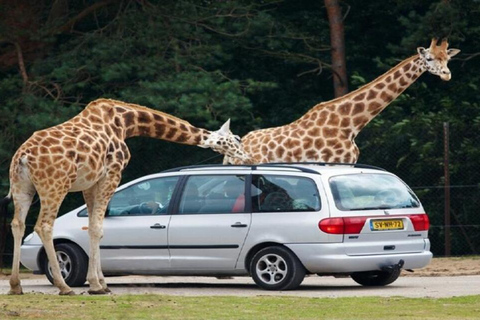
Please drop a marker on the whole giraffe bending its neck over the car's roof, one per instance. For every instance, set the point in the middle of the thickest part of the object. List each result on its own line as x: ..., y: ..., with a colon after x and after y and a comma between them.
x: 88, y: 153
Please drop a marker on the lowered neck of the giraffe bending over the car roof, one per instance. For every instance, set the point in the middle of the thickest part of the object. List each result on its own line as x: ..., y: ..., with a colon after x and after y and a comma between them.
x: 129, y: 120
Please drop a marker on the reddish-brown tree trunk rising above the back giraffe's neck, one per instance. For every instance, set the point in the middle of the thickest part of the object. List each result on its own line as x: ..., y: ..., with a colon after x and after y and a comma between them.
x: 337, y: 41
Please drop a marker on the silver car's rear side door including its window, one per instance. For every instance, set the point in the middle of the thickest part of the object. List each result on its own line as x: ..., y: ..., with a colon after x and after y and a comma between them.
x: 210, y: 224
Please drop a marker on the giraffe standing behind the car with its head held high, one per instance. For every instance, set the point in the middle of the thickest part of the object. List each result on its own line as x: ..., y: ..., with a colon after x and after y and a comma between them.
x: 327, y: 132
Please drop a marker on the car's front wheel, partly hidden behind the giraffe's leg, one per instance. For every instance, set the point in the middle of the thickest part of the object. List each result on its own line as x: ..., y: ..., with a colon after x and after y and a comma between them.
x: 73, y: 264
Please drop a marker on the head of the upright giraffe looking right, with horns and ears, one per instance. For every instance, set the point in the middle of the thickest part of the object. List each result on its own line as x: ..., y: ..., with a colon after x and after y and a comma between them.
x: 436, y: 58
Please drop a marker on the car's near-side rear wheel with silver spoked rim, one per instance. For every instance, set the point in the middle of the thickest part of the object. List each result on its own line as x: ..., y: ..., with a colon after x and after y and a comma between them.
x: 277, y: 268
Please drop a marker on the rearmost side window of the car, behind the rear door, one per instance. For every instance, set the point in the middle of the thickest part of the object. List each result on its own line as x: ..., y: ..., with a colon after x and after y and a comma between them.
x: 274, y: 193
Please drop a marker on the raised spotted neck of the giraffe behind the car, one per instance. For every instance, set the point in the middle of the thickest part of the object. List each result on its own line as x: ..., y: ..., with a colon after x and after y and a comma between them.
x: 355, y: 110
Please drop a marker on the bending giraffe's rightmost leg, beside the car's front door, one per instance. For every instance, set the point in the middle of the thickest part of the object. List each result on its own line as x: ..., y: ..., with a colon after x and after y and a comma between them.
x: 102, y: 192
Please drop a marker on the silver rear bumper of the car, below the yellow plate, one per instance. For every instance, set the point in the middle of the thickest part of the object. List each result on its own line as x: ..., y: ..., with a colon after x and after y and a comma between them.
x: 331, y: 258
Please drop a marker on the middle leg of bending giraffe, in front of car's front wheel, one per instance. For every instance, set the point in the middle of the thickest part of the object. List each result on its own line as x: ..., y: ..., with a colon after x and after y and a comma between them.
x: 50, y: 203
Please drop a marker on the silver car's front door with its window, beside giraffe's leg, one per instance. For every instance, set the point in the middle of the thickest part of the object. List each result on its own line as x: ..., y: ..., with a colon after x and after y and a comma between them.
x: 136, y: 226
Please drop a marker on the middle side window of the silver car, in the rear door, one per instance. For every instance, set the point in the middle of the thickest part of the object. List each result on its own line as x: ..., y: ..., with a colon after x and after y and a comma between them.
x: 213, y: 194
